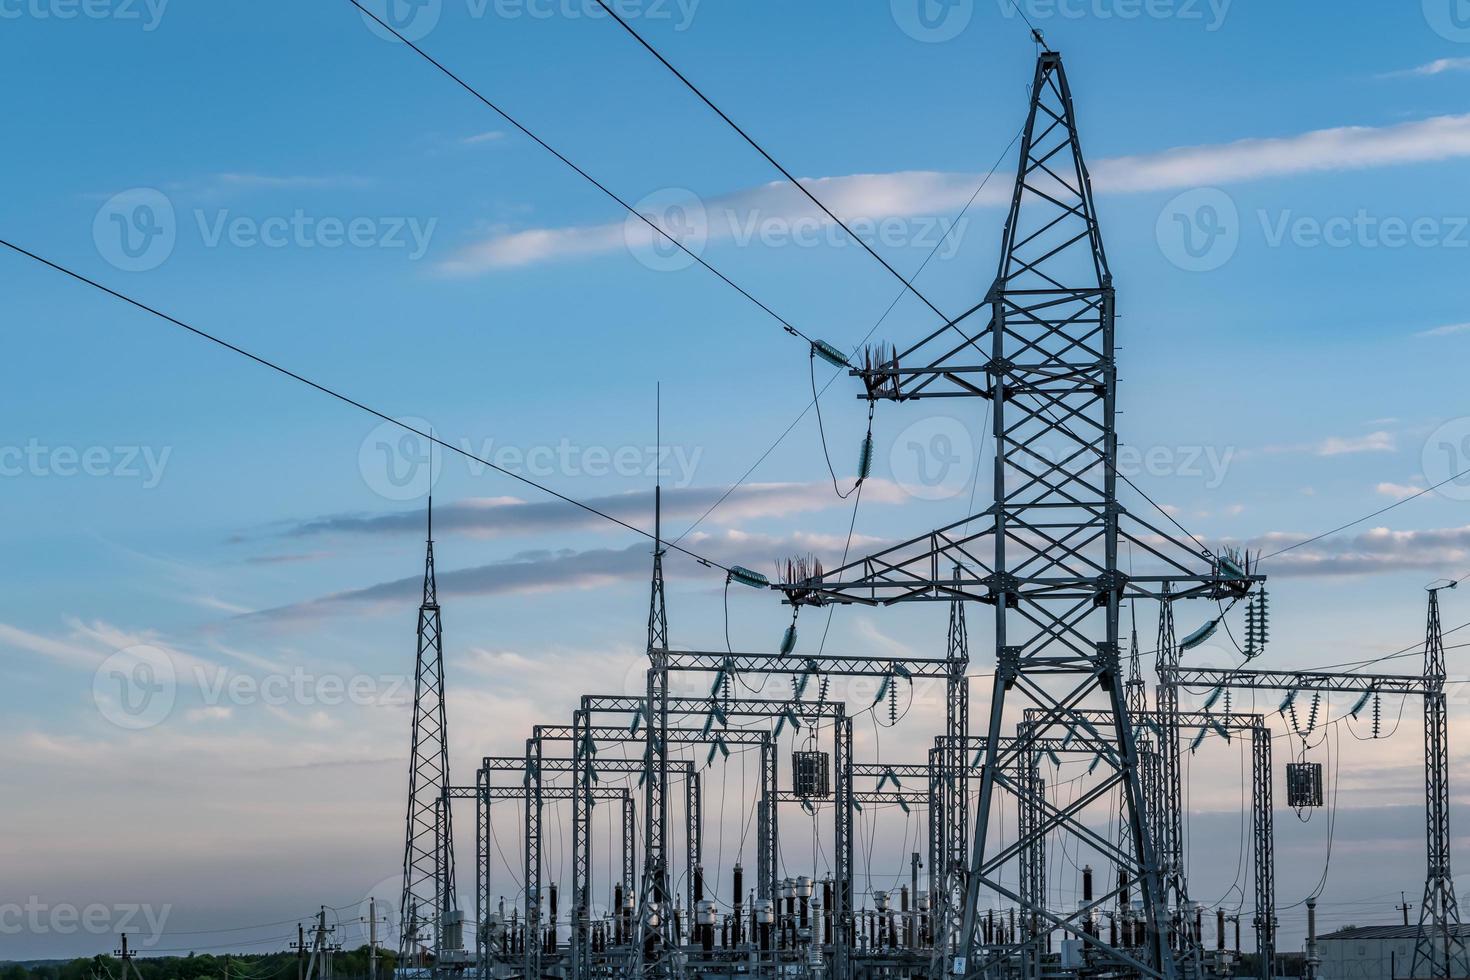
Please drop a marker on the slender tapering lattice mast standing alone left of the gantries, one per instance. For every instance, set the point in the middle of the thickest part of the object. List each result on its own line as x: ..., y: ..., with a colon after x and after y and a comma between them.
x: 429, y: 853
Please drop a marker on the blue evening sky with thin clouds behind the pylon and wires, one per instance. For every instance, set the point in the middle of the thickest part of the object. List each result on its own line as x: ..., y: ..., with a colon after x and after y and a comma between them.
x: 345, y: 209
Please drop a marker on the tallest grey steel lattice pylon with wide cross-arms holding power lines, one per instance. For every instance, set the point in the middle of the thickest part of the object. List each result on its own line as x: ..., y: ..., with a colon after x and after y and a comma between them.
x: 1046, y: 555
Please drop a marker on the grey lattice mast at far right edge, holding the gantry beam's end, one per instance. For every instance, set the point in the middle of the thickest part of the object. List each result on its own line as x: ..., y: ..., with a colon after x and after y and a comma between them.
x: 1440, y: 948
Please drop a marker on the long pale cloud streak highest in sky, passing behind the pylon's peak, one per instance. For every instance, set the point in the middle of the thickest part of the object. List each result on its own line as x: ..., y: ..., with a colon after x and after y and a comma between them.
x: 921, y: 193
